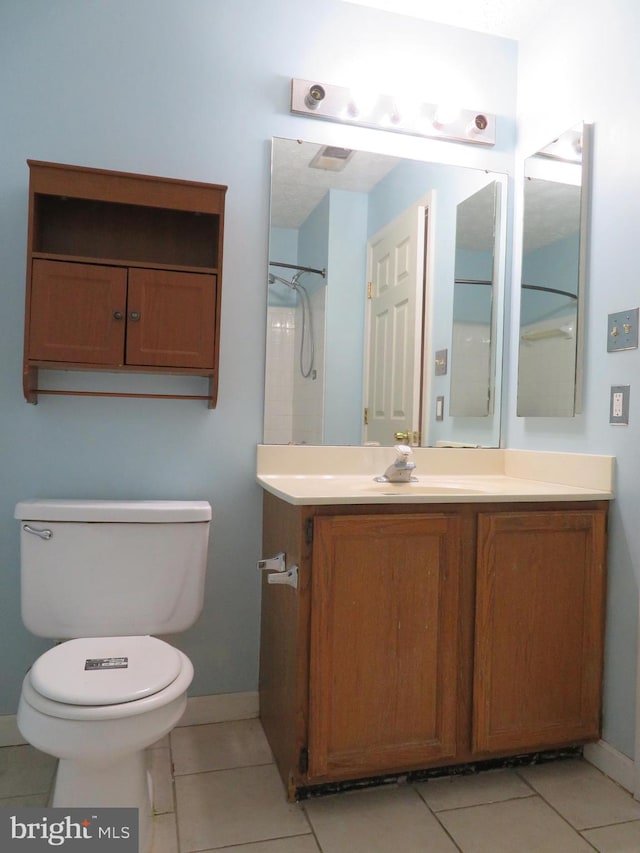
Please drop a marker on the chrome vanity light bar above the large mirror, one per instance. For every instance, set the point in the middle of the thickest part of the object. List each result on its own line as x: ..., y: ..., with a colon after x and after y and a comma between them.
x: 386, y: 112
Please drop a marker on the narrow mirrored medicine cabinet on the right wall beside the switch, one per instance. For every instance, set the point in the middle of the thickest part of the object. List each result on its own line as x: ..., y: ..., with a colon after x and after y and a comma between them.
x: 555, y: 220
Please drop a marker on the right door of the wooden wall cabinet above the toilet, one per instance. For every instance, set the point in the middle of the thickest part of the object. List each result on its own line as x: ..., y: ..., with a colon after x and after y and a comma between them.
x: 171, y: 318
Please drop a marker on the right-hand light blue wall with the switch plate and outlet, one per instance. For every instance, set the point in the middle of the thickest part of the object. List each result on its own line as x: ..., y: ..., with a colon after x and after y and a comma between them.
x: 561, y: 83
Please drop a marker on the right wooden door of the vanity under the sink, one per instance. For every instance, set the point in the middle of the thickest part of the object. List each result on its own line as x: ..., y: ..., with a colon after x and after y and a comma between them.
x: 539, y: 629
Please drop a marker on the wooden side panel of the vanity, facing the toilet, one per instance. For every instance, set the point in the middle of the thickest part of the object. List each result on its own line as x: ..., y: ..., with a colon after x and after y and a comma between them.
x: 284, y: 641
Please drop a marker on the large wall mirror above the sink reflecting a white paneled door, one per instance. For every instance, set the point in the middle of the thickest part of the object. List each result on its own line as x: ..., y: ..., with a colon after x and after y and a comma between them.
x: 385, y: 300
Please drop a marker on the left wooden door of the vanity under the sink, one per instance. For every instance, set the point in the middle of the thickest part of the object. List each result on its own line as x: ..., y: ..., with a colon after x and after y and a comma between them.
x: 384, y: 643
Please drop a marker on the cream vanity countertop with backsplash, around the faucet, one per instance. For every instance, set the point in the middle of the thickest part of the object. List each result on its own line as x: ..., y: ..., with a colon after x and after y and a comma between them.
x: 307, y: 475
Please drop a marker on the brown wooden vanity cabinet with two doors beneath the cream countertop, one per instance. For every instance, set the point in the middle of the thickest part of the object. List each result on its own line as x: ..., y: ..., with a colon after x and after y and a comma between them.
x: 429, y: 635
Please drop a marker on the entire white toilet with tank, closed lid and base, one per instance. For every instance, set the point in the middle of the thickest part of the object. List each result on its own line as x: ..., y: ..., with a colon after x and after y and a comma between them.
x: 104, y: 577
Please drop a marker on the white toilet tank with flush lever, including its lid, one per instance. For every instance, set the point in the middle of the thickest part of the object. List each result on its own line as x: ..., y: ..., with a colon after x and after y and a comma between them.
x: 112, y: 568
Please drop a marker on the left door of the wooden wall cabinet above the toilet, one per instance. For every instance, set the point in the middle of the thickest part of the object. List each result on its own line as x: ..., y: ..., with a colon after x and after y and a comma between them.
x: 77, y: 313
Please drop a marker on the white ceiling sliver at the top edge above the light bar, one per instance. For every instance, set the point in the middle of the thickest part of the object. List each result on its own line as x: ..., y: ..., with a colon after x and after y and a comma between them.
x: 506, y: 18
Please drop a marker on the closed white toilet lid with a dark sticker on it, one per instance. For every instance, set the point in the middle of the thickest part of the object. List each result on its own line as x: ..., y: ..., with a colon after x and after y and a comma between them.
x: 105, y: 670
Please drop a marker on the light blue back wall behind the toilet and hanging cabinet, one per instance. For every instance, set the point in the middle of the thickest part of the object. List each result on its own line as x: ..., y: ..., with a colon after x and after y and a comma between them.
x: 193, y: 89
